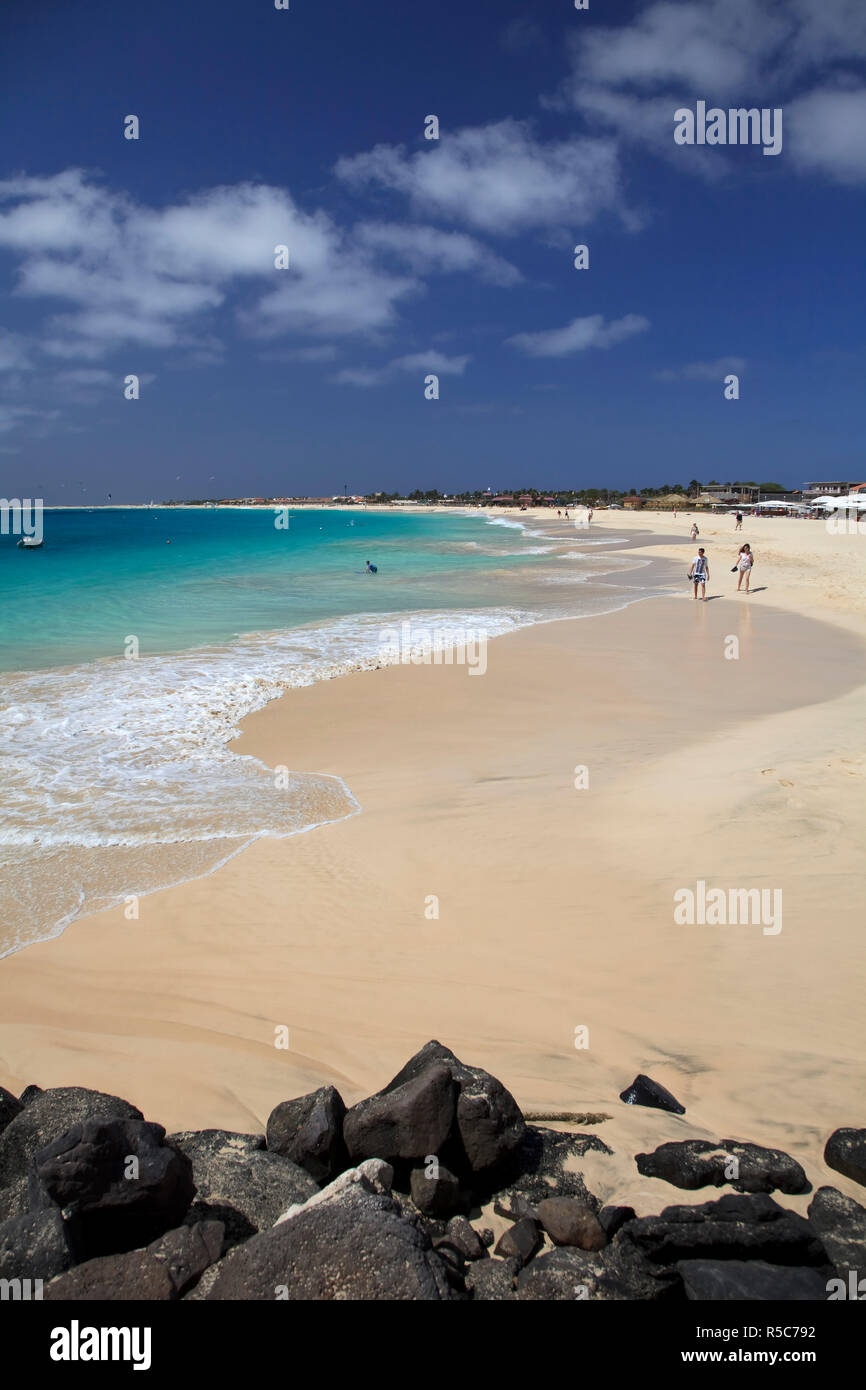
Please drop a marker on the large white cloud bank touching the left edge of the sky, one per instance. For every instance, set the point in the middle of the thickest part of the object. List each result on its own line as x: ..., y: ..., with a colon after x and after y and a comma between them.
x: 154, y: 277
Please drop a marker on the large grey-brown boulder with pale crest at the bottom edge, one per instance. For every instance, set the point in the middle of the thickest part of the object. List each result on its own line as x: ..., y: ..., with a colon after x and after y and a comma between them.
x: 352, y: 1245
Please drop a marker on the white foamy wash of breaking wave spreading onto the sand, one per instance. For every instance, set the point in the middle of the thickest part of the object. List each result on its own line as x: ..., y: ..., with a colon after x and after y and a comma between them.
x: 119, y: 778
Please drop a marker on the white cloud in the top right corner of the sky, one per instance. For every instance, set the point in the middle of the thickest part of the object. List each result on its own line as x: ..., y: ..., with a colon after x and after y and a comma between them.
x: 630, y: 80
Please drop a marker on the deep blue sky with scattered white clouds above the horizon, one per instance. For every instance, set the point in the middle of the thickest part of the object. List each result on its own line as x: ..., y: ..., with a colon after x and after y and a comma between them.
x: 412, y: 256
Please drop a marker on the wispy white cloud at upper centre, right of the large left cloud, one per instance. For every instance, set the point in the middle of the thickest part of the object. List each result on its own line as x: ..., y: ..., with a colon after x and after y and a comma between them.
x: 497, y: 179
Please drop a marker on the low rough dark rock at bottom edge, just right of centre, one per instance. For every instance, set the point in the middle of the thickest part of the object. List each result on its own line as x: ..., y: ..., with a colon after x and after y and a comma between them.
x: 616, y: 1274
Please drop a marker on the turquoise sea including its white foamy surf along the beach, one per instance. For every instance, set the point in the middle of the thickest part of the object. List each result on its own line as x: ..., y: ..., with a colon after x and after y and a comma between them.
x: 136, y: 641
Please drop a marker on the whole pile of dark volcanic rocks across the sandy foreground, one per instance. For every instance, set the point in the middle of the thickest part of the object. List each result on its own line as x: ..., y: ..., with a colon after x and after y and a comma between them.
x: 383, y: 1202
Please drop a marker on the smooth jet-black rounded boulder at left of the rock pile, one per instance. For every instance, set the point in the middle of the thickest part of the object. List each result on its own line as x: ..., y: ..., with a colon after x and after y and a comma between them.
x: 120, y: 1181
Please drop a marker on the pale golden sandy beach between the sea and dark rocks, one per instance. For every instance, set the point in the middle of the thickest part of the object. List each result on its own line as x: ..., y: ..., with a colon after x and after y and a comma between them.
x: 555, y: 904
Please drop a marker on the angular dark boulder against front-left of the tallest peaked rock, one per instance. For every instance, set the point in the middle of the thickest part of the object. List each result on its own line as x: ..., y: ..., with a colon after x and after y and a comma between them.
x: 404, y: 1124
